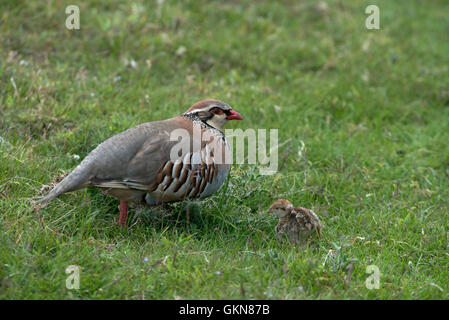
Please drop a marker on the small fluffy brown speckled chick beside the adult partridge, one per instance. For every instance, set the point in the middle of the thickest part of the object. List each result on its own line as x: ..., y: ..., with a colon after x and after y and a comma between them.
x: 296, y: 222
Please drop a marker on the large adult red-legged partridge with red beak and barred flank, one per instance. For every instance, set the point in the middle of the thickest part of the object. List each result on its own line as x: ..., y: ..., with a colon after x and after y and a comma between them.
x: 149, y: 163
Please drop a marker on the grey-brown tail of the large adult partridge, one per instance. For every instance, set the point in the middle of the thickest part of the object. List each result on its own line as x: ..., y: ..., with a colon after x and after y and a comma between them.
x: 77, y: 179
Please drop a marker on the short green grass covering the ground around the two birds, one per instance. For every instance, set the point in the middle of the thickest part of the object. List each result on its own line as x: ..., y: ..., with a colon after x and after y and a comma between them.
x: 370, y: 107
